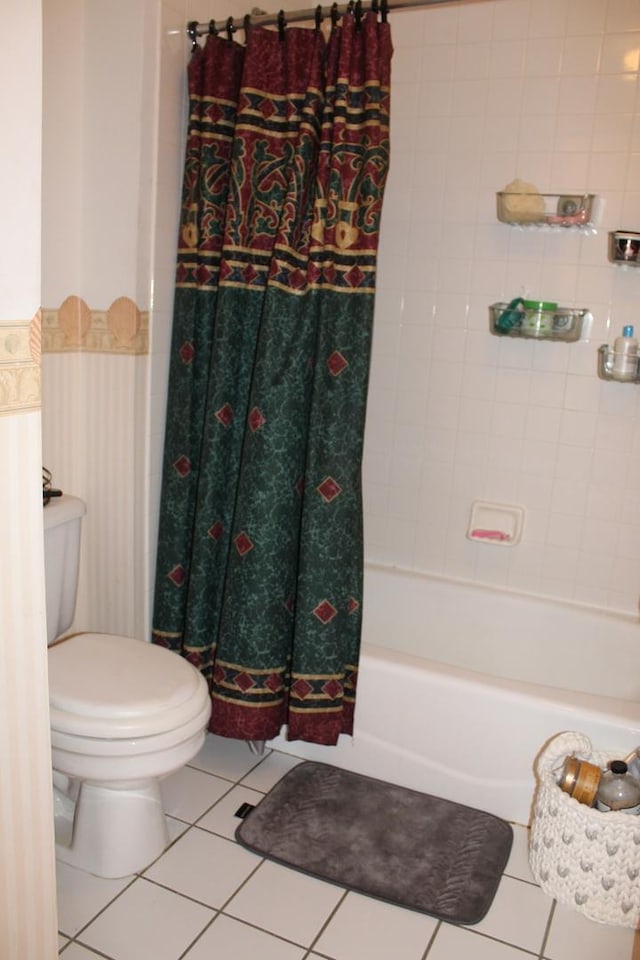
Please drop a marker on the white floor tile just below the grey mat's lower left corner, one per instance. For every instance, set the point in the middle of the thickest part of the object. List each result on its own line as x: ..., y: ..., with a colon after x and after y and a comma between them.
x: 285, y: 902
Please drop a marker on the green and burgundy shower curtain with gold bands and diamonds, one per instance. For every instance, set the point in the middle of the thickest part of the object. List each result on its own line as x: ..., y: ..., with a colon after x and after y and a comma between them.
x: 259, y: 568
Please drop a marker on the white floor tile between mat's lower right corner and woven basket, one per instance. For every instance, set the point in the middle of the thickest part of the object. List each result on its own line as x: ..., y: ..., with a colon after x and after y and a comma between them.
x: 518, y: 915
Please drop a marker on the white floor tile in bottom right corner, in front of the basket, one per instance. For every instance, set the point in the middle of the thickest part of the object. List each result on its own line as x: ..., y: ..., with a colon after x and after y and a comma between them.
x: 574, y: 935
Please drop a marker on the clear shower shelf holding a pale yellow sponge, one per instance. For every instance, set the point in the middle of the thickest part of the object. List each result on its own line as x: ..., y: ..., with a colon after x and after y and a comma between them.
x: 545, y: 209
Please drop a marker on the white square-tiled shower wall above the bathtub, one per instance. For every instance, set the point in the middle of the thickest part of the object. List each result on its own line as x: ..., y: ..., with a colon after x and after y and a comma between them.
x: 481, y: 93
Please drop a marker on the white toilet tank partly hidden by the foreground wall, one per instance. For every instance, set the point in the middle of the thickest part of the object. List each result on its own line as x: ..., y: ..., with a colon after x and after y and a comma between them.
x: 62, y: 520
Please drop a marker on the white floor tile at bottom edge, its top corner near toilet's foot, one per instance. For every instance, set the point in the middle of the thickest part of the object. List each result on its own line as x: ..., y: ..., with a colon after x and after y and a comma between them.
x: 147, y: 923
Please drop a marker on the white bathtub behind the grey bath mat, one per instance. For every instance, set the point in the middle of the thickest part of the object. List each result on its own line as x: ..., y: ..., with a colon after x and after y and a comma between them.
x: 460, y: 686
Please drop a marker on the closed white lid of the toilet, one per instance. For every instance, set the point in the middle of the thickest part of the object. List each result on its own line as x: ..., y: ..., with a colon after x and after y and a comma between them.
x: 113, y: 687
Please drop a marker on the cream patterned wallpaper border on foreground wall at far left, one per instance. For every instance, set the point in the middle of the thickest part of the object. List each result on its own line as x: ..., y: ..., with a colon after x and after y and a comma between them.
x: 20, y: 348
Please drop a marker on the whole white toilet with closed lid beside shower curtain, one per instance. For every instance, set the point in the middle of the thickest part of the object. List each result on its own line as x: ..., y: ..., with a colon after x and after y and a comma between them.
x: 124, y: 714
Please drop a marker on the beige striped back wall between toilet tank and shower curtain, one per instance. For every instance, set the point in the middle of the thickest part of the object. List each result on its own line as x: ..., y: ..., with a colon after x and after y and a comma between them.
x: 100, y: 144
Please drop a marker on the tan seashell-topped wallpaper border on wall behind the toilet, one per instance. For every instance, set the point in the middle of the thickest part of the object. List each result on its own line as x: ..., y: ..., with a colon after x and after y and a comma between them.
x: 74, y: 327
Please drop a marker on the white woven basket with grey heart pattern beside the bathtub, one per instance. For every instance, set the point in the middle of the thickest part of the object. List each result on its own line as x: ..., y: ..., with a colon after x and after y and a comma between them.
x: 585, y: 859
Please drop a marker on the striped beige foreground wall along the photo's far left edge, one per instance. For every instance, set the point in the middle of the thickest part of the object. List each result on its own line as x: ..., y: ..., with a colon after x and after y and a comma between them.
x: 27, y: 878
